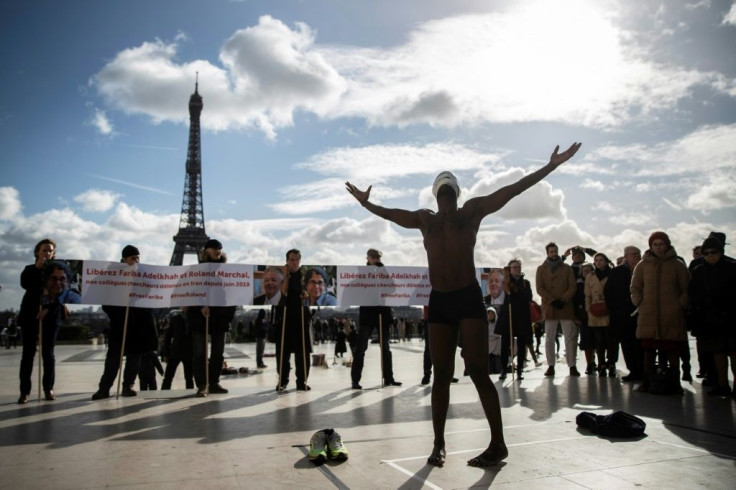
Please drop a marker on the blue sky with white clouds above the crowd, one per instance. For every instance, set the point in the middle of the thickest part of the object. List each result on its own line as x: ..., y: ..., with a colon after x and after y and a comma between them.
x: 301, y: 96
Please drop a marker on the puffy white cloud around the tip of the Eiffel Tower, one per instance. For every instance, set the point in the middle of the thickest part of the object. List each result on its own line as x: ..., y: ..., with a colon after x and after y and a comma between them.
x: 269, y: 71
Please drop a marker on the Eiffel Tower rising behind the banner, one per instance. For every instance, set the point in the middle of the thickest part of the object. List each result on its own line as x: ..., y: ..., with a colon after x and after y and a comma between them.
x: 191, y: 236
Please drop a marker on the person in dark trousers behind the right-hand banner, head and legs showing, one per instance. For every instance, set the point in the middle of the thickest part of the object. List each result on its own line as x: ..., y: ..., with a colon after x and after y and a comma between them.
x: 369, y: 319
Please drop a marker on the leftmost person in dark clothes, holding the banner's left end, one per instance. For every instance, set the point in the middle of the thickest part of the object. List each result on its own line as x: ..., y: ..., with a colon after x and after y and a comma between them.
x: 30, y: 280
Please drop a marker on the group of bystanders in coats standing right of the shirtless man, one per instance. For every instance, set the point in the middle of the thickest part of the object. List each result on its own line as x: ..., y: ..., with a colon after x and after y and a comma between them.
x: 644, y: 307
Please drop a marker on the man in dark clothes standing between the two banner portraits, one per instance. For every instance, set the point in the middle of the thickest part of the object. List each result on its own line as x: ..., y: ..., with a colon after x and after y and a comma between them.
x: 293, y: 333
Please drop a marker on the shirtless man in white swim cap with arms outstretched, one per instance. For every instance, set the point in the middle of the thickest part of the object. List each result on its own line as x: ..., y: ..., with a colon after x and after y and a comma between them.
x: 456, y: 302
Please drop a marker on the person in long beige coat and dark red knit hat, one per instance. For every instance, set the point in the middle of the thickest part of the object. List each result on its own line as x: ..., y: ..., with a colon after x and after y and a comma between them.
x: 659, y: 290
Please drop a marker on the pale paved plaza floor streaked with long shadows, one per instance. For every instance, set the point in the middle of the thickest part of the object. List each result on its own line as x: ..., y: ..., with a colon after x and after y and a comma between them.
x: 254, y: 437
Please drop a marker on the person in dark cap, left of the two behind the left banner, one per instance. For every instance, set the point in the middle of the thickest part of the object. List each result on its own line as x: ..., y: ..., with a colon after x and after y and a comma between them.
x: 140, y: 337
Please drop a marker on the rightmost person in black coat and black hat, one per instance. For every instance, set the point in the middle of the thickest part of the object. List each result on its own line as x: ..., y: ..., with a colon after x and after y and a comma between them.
x: 712, y: 290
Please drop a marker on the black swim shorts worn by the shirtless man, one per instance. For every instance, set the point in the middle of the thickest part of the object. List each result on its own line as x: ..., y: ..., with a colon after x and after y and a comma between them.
x: 462, y: 304
